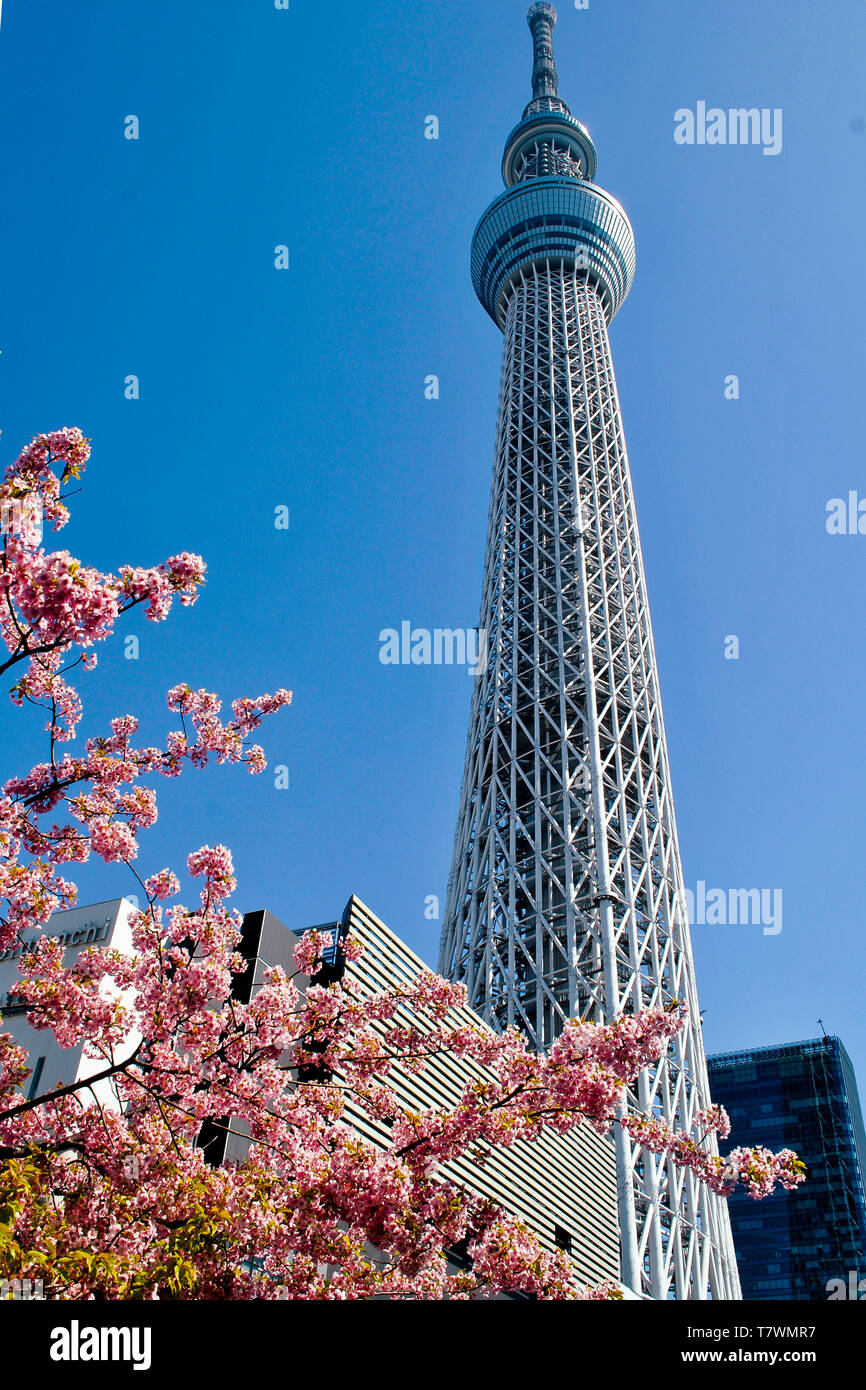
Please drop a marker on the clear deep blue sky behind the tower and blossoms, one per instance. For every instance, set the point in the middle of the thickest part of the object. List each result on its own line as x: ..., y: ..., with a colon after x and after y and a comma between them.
x: 307, y: 389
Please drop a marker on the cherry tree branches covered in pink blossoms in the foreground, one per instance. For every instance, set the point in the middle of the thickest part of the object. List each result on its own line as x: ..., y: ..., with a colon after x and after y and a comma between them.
x: 105, y: 1191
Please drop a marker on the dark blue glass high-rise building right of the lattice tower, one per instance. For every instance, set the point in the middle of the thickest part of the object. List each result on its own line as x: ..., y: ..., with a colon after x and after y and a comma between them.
x: 811, y: 1243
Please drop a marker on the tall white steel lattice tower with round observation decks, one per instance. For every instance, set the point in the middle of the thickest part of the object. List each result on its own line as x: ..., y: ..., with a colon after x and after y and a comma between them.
x: 566, y: 893
